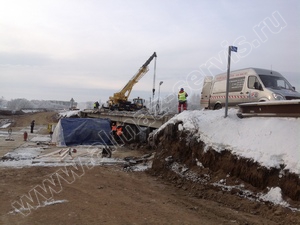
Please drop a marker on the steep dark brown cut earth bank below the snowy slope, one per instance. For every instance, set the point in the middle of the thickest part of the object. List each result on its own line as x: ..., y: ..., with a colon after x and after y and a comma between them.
x: 186, y: 162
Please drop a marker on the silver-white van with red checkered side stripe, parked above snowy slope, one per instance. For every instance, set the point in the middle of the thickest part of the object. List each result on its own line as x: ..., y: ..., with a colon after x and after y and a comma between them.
x: 246, y: 85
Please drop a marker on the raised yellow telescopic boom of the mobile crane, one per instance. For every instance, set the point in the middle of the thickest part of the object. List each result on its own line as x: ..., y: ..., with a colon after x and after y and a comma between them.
x: 123, y: 95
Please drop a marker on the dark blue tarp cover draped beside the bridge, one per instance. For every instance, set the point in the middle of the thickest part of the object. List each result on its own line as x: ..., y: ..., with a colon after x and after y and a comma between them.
x: 83, y: 131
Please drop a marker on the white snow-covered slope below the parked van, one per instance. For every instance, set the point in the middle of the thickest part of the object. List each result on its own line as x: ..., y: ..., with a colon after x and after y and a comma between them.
x: 270, y: 141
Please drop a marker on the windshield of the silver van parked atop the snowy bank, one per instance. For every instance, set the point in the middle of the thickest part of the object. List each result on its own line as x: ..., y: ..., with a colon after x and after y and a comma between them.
x: 275, y: 82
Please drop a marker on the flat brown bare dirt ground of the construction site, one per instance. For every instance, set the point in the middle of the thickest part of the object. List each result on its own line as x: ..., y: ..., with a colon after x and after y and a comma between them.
x: 114, y: 195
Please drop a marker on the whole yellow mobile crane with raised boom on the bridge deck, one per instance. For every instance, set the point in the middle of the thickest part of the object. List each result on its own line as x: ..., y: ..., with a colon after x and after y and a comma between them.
x: 119, y: 101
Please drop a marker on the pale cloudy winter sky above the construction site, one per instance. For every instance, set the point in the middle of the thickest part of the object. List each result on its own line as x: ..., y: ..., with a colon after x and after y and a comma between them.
x: 58, y: 49
